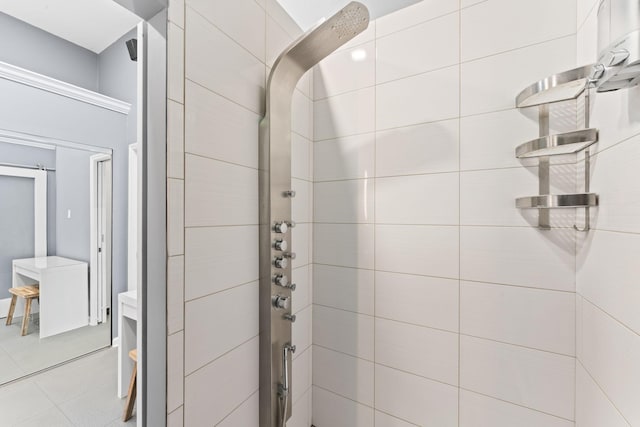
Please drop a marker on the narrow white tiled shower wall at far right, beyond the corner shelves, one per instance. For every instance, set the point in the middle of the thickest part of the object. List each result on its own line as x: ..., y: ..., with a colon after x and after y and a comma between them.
x: 606, y: 280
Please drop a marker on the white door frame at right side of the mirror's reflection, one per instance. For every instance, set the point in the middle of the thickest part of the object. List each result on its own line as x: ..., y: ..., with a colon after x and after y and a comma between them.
x: 101, y: 202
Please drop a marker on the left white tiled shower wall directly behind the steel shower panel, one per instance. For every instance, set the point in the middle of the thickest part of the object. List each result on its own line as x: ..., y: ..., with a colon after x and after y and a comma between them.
x: 217, y: 76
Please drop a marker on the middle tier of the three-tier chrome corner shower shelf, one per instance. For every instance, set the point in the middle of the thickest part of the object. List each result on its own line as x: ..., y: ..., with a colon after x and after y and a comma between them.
x: 558, y: 144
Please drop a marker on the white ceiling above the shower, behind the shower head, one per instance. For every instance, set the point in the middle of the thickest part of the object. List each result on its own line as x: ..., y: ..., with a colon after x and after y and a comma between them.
x: 308, y: 12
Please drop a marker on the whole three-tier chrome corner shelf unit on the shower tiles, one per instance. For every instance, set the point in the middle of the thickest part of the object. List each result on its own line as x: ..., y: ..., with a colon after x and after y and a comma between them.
x: 565, y: 86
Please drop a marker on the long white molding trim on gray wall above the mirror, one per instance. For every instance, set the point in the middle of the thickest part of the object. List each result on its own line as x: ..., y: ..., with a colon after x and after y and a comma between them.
x: 49, y: 84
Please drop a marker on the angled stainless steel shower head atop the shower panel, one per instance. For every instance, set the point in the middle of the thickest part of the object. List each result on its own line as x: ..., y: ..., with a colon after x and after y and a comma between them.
x: 317, y: 43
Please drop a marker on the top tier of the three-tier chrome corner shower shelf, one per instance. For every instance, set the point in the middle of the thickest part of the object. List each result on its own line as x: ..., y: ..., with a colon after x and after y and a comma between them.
x: 558, y: 87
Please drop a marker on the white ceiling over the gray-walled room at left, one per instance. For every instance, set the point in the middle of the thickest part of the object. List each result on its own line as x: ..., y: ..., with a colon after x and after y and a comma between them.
x: 92, y: 24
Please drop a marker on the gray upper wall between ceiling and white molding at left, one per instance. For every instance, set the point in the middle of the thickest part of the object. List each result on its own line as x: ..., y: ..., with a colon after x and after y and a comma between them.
x: 29, y: 47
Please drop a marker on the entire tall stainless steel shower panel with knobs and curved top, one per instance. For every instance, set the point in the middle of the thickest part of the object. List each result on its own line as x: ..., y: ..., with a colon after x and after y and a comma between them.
x: 276, y: 317
